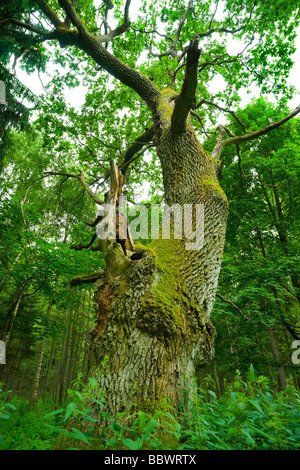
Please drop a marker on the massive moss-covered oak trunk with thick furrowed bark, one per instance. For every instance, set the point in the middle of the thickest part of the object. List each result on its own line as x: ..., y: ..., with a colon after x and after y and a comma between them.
x: 153, y: 325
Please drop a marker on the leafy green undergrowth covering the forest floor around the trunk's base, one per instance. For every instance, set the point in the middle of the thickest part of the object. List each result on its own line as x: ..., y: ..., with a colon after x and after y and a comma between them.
x: 249, y: 416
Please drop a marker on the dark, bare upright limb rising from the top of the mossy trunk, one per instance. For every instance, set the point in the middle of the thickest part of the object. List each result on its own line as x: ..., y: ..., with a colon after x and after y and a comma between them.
x: 184, y: 102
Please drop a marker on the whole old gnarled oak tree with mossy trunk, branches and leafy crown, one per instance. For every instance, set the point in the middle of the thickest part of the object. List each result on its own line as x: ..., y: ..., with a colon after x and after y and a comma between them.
x: 153, y: 302
